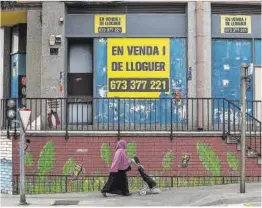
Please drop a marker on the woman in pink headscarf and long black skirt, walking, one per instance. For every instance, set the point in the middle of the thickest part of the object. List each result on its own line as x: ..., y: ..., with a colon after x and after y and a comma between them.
x: 117, y: 182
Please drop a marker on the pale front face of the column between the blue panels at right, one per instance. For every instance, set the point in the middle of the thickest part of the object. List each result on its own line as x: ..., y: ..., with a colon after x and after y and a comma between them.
x: 203, y: 62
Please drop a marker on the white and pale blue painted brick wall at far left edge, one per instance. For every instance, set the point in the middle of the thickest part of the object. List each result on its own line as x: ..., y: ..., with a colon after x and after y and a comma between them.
x: 6, y: 165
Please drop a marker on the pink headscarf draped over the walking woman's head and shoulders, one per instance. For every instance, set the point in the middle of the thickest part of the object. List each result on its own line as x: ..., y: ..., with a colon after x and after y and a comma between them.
x: 120, y: 161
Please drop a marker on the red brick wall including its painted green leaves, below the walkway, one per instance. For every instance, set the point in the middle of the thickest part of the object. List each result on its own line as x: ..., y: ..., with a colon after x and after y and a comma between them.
x: 208, y: 155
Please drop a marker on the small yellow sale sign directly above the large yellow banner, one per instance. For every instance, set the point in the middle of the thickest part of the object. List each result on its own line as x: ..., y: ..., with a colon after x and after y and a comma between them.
x: 110, y: 24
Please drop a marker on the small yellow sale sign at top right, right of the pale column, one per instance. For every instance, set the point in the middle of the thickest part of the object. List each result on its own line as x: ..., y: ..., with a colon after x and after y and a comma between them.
x: 236, y: 24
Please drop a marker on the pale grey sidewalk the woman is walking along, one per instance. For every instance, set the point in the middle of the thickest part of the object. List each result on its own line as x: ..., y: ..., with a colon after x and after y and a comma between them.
x: 192, y: 196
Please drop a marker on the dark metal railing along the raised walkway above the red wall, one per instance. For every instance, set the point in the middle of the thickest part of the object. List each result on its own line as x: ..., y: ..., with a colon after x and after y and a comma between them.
x: 131, y: 114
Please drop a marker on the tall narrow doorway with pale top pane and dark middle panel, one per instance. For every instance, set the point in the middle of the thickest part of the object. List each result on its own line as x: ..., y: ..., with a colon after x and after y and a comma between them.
x: 80, y: 81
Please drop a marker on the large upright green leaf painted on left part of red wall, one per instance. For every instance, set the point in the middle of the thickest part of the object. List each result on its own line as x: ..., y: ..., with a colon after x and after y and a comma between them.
x: 46, y: 160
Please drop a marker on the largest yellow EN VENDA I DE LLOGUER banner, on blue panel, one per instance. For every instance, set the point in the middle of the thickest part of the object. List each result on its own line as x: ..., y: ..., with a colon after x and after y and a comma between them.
x: 138, y: 67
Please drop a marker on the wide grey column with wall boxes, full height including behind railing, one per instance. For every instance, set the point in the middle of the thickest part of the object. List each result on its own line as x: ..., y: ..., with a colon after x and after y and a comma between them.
x: 53, y: 66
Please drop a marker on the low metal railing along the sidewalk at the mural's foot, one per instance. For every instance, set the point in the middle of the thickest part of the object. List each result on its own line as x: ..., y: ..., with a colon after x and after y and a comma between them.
x: 36, y: 184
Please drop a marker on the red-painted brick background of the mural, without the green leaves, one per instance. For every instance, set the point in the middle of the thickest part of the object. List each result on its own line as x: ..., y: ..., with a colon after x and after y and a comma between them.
x: 85, y: 151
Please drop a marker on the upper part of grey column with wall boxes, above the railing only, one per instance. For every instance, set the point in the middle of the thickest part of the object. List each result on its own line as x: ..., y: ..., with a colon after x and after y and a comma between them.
x: 52, y: 65
